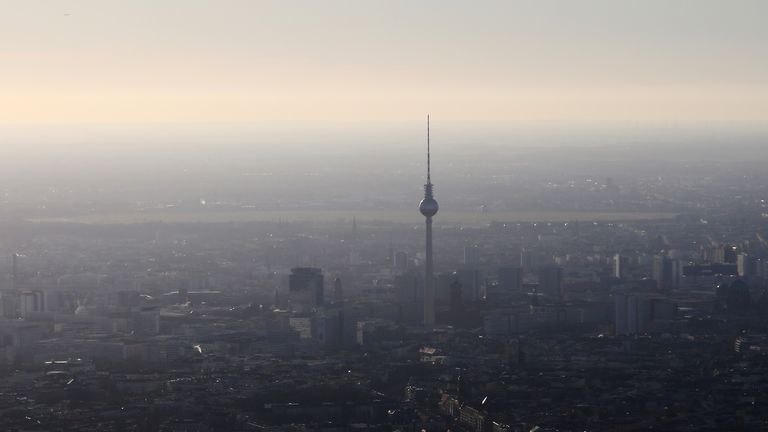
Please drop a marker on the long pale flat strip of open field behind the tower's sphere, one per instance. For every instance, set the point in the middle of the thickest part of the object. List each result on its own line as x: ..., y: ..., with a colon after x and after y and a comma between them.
x: 397, y: 216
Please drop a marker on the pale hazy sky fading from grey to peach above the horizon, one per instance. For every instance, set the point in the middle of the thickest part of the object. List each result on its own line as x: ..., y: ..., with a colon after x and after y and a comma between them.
x: 150, y: 61
